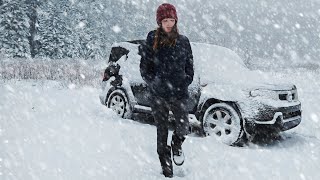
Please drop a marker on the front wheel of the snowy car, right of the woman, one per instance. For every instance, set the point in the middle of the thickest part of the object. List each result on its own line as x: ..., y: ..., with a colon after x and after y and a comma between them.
x: 222, y: 121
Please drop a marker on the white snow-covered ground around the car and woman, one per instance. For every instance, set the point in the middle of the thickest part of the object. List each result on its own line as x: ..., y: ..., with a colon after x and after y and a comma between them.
x: 48, y: 131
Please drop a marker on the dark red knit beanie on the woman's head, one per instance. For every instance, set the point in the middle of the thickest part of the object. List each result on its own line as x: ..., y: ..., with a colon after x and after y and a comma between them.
x: 166, y: 10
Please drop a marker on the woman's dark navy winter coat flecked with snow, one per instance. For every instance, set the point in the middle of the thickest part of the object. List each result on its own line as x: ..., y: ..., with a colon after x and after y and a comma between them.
x: 168, y: 71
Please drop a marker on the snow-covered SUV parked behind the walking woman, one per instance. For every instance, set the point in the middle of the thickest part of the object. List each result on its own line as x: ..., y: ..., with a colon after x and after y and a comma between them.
x: 227, y: 100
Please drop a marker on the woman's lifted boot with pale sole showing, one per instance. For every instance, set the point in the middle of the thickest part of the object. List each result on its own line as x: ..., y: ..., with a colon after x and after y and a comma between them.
x: 178, y: 155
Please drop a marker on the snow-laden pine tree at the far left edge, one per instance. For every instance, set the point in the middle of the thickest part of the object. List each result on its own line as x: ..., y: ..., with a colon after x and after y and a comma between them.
x: 14, y: 29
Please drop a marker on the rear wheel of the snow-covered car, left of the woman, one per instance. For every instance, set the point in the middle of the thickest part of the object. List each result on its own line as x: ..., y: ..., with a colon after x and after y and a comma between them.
x: 118, y: 102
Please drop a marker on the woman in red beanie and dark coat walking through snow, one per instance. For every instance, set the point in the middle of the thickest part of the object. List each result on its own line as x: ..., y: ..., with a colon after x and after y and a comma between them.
x: 167, y: 67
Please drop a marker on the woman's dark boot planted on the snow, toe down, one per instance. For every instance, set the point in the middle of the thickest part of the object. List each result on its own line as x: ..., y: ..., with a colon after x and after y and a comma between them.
x: 166, y: 163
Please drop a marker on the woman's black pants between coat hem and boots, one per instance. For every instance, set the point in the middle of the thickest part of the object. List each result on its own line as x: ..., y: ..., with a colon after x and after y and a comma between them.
x: 160, y: 110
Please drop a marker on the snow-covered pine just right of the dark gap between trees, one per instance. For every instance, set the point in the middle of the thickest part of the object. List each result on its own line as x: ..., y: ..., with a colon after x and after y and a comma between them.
x: 55, y: 34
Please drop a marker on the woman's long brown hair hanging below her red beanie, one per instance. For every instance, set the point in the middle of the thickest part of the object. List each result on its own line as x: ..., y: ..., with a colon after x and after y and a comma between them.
x: 165, y: 39
